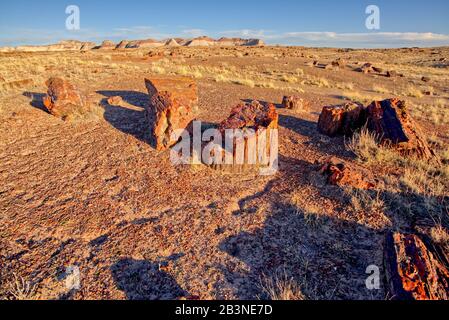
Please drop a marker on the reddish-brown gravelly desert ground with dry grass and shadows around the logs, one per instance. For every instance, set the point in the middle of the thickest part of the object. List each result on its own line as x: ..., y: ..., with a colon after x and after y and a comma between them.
x: 92, y: 192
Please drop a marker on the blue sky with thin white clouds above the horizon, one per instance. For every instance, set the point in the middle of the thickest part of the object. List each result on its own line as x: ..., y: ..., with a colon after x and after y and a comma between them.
x: 294, y: 22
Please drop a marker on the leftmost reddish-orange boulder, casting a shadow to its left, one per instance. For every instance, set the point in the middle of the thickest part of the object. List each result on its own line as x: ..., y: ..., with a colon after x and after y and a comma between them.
x: 63, y: 99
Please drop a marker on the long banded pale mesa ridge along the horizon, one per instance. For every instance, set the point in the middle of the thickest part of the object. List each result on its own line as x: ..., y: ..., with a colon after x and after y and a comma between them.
x: 74, y: 45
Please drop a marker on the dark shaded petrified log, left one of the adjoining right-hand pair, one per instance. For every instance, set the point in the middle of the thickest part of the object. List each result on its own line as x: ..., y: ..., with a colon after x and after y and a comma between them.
x: 341, y: 119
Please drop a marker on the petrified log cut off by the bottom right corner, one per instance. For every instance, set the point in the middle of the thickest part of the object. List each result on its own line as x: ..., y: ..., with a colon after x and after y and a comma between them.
x: 413, y: 273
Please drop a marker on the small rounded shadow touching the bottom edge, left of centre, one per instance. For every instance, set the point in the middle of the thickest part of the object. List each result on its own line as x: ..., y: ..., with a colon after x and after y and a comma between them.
x: 142, y: 280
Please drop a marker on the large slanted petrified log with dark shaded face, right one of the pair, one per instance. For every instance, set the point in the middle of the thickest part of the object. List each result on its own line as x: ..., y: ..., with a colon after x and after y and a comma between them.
x: 392, y: 123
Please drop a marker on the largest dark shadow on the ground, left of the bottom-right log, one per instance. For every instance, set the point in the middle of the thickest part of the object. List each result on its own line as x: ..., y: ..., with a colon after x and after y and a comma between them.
x: 324, y: 257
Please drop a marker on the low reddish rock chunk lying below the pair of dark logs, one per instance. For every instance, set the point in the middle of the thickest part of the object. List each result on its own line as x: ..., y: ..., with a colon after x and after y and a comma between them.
x: 343, y: 173
